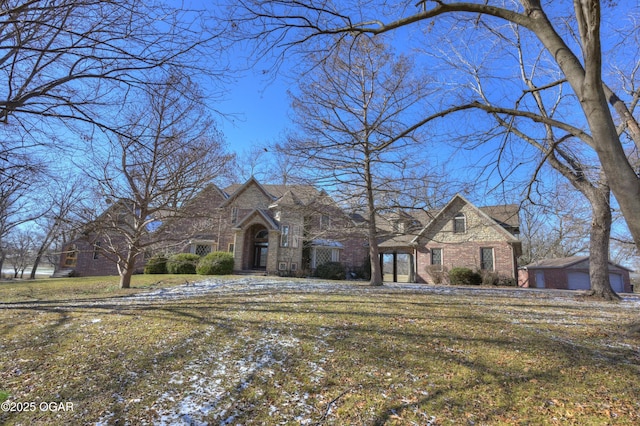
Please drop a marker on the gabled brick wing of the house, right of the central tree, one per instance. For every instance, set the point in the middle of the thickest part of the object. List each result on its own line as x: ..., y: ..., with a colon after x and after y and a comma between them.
x: 460, y: 234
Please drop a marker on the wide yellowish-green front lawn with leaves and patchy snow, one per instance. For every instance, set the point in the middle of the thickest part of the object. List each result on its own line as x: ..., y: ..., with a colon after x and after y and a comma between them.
x: 313, y: 353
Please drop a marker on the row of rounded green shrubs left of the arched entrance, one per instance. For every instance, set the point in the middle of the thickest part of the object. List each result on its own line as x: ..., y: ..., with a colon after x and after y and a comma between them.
x: 216, y: 263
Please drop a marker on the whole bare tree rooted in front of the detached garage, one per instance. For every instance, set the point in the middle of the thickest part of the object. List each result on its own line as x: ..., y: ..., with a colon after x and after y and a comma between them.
x: 546, y: 128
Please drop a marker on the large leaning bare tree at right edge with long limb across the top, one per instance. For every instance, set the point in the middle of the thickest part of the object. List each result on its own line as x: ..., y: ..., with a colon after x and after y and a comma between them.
x: 573, y: 44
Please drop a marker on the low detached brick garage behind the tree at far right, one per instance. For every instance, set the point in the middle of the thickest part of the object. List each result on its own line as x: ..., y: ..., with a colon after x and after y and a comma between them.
x: 570, y: 273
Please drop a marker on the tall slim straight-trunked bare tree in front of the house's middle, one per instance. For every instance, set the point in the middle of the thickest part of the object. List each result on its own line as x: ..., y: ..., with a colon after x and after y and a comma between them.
x: 352, y: 111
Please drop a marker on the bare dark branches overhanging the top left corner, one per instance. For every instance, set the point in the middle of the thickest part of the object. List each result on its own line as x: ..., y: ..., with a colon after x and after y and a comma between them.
x: 70, y: 58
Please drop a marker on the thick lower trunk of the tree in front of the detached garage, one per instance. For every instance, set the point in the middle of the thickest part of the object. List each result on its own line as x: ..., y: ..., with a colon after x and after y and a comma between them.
x: 599, y: 245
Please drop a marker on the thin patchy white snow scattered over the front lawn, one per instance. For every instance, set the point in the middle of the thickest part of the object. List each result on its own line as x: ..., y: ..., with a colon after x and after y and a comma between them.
x: 209, y: 392
